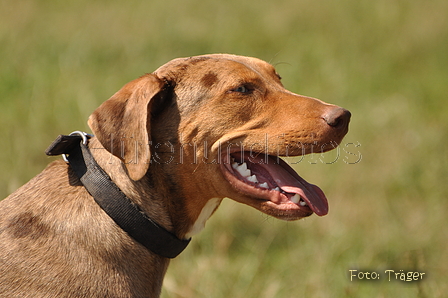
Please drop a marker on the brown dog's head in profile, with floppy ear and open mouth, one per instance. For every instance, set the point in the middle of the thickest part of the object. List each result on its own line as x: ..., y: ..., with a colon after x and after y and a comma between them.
x: 218, y: 124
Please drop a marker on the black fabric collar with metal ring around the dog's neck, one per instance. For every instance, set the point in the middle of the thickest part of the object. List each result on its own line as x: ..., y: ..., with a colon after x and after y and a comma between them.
x: 112, y: 200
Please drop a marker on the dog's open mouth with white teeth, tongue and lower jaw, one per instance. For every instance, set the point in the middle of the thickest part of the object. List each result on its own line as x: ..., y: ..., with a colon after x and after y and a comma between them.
x: 273, y: 186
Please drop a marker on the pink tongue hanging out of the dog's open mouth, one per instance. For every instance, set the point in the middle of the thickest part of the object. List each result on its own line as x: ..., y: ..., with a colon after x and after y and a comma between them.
x: 289, y: 181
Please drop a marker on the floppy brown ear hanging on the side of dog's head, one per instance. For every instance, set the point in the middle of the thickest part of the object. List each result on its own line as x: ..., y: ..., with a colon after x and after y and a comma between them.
x: 122, y: 123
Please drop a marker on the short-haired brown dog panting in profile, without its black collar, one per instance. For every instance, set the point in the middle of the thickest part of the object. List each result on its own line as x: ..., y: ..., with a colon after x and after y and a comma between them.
x: 176, y: 142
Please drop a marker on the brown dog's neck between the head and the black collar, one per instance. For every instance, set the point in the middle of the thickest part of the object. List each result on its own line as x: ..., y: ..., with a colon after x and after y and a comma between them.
x: 167, y: 205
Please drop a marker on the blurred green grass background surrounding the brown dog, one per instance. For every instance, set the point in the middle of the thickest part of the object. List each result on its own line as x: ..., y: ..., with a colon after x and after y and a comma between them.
x: 386, y: 61
